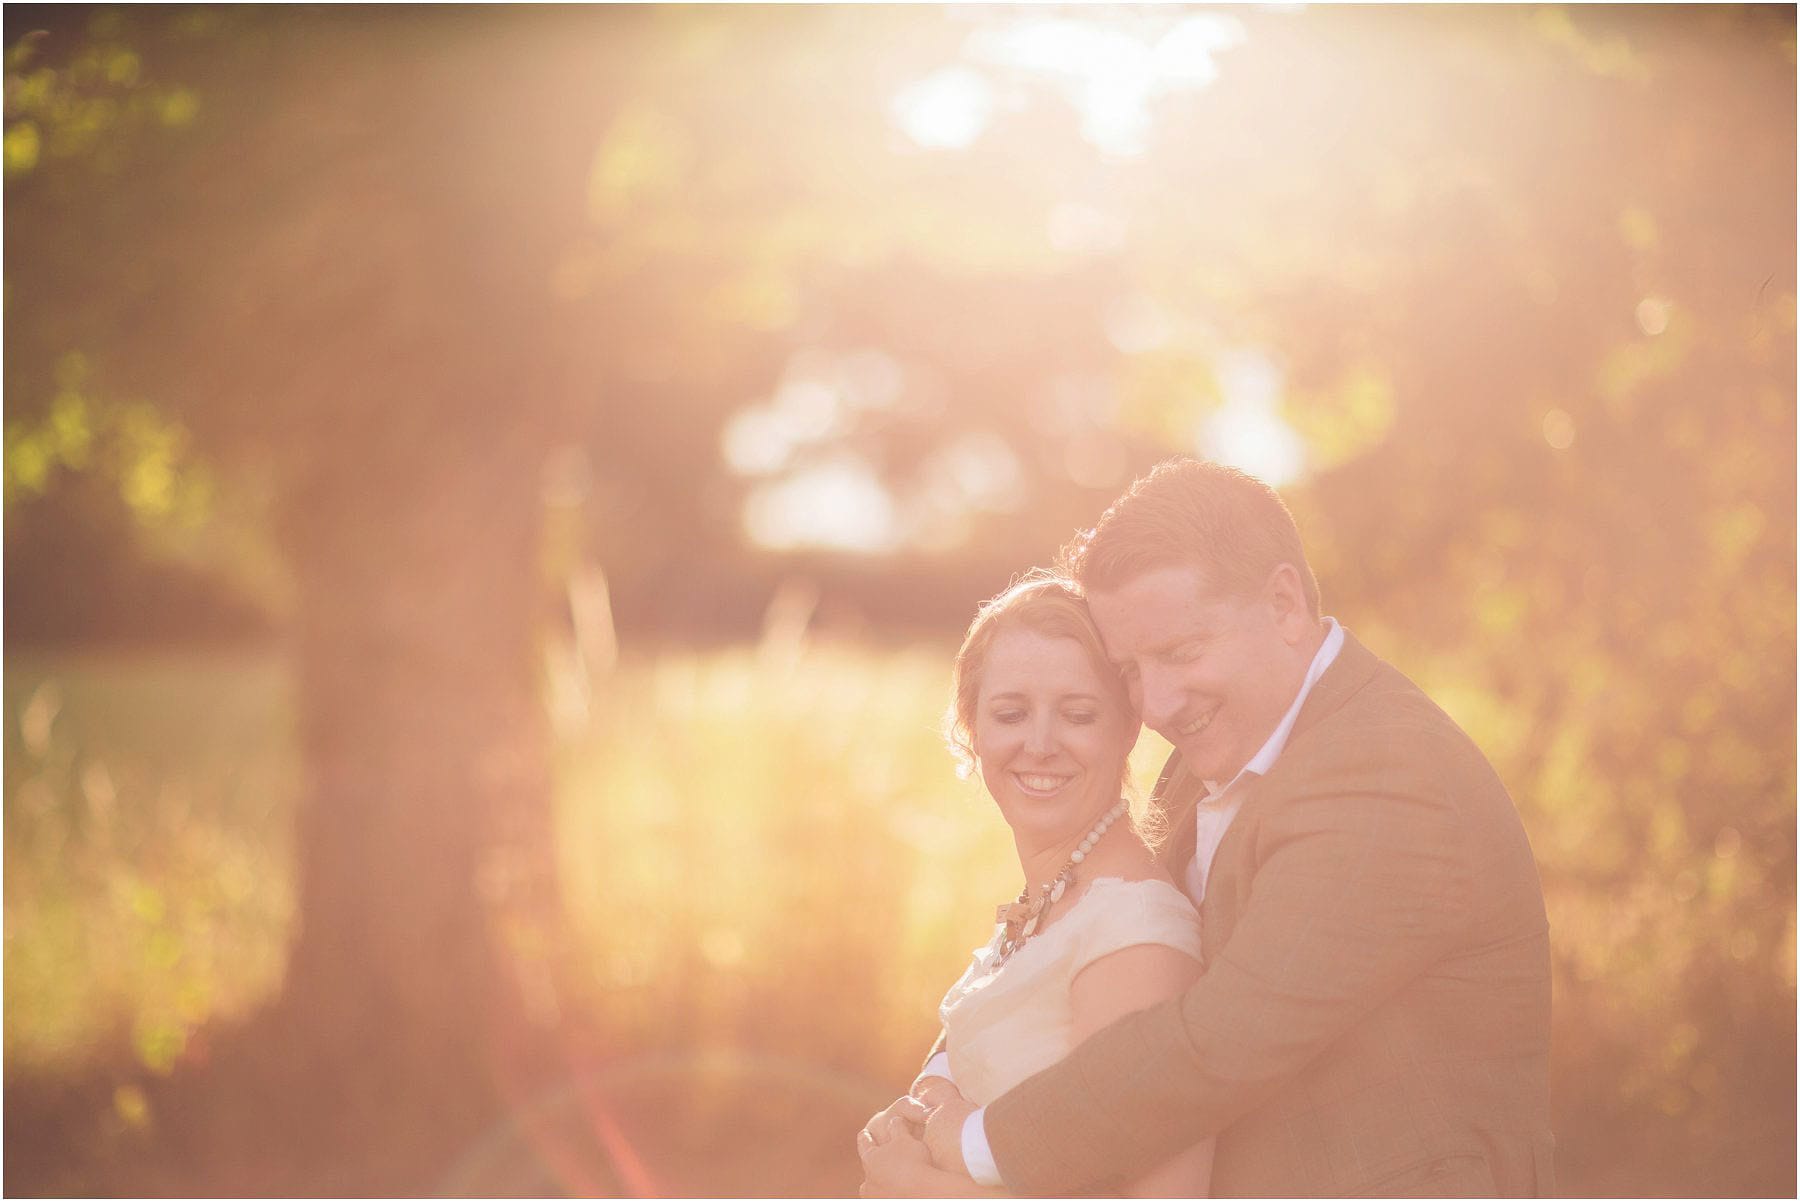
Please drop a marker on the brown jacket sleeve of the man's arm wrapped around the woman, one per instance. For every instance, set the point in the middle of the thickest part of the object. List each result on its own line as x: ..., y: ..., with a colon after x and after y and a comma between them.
x: 1358, y: 888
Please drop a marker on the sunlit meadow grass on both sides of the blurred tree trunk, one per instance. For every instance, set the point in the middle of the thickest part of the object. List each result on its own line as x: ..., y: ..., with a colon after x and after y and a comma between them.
x: 755, y: 852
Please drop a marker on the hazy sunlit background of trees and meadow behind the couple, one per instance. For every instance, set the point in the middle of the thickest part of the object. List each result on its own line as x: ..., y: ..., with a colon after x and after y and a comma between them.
x: 492, y: 494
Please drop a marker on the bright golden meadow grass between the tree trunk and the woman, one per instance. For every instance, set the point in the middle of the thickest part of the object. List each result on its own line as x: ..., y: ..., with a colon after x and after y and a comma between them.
x: 777, y: 852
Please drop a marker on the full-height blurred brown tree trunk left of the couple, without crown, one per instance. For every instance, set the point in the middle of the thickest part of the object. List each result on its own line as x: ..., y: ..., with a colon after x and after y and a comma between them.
x: 420, y: 382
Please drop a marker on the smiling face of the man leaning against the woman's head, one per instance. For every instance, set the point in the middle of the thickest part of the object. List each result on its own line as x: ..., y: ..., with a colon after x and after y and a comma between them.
x: 1210, y: 672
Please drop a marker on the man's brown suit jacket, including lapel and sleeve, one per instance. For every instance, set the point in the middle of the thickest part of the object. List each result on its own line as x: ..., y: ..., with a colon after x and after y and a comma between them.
x: 1374, y: 1018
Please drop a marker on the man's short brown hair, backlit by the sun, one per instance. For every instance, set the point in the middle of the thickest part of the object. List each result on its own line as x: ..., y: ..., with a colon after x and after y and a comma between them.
x: 1192, y: 514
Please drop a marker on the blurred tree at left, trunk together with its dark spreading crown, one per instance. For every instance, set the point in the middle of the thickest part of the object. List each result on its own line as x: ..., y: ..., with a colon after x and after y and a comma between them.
x: 341, y: 282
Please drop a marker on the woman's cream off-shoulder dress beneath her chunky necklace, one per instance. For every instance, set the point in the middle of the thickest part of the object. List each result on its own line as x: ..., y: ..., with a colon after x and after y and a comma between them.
x: 1005, y: 1025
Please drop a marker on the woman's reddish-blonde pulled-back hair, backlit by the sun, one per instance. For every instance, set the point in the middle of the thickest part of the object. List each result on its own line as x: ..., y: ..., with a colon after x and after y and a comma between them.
x: 1045, y: 604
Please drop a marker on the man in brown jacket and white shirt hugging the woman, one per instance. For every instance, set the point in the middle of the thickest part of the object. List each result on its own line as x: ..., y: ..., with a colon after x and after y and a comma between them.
x: 1374, y: 1016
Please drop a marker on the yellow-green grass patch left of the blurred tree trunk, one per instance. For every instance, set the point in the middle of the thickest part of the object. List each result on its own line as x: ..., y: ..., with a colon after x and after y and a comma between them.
x: 148, y: 856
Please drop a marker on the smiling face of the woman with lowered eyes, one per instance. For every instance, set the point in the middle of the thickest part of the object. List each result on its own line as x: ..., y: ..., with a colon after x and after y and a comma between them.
x: 1050, y: 735
